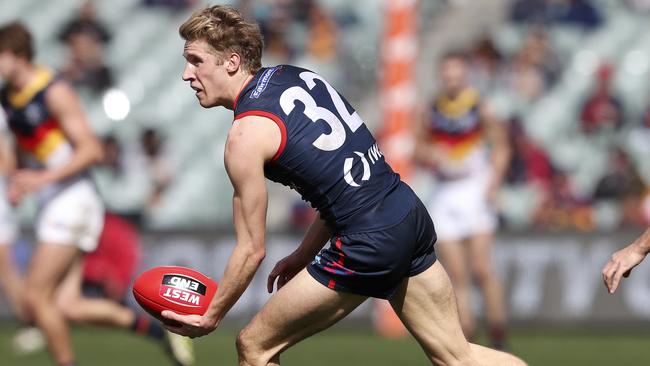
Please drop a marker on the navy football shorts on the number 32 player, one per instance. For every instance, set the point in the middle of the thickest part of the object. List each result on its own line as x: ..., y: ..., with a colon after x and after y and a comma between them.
x: 375, y: 263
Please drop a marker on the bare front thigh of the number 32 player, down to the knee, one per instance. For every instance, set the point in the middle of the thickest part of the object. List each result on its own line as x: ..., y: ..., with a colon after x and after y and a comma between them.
x: 299, y: 309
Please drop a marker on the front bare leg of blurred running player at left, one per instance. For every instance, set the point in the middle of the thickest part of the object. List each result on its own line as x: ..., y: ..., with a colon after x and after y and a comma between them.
x: 49, y: 265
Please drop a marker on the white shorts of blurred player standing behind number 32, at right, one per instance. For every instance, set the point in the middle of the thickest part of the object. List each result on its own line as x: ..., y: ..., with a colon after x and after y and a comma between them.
x: 460, y: 208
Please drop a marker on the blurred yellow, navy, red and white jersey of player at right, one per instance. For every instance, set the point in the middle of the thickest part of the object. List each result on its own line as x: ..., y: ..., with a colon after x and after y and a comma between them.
x: 455, y: 126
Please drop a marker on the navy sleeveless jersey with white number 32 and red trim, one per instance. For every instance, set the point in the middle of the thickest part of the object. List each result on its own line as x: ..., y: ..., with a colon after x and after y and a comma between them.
x: 327, y: 154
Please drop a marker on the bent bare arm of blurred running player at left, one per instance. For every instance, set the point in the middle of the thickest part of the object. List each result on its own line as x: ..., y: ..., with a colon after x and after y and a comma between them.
x: 65, y: 106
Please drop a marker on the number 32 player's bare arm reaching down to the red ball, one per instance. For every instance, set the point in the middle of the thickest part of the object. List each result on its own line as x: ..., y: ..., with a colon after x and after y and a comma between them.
x: 252, y: 142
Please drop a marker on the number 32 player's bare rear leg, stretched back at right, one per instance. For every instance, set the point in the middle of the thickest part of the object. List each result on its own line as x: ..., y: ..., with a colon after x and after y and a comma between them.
x: 426, y: 304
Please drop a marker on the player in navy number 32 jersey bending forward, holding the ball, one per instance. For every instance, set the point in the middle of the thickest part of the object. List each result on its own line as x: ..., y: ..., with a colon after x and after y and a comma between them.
x: 291, y: 126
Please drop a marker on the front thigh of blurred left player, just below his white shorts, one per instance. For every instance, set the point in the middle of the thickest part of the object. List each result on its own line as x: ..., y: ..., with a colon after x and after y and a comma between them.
x: 50, y: 264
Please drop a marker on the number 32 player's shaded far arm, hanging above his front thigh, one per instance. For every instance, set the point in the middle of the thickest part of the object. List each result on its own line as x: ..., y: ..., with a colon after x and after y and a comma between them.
x: 290, y: 265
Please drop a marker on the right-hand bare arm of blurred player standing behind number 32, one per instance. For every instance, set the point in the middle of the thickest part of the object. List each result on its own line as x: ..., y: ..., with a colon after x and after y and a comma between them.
x: 497, y: 137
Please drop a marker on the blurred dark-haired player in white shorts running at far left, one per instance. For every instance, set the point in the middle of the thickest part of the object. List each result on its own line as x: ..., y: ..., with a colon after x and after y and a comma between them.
x: 52, y: 132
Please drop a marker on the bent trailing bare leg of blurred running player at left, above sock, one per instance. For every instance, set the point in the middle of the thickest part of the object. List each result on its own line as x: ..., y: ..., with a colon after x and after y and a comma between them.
x: 77, y: 308
